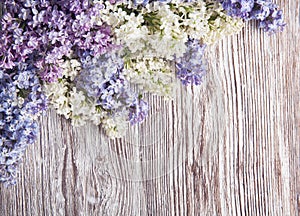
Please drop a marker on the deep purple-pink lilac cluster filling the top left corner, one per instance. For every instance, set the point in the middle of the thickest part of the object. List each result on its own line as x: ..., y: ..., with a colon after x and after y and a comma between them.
x: 49, y: 31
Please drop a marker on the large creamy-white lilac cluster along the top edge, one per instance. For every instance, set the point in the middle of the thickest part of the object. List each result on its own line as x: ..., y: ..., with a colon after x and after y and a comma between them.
x: 161, y: 30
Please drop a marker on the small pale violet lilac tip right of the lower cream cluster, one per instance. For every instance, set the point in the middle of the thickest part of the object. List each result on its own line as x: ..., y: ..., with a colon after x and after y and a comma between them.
x: 191, y: 67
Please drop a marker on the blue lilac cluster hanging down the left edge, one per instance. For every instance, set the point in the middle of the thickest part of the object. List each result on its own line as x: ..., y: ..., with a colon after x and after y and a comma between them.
x: 21, y: 101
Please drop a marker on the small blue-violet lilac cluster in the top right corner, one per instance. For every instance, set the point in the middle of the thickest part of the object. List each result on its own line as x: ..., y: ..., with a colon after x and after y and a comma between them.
x: 267, y: 13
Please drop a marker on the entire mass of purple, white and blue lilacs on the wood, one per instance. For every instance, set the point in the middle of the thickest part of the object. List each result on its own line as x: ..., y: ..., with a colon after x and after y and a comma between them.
x: 92, y: 60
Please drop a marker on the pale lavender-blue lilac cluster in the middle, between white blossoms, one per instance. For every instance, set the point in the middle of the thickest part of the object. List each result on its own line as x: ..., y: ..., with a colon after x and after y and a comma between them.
x: 102, y: 79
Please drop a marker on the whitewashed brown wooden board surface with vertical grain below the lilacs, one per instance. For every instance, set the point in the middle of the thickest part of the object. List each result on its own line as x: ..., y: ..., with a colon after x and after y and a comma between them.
x: 229, y: 147
